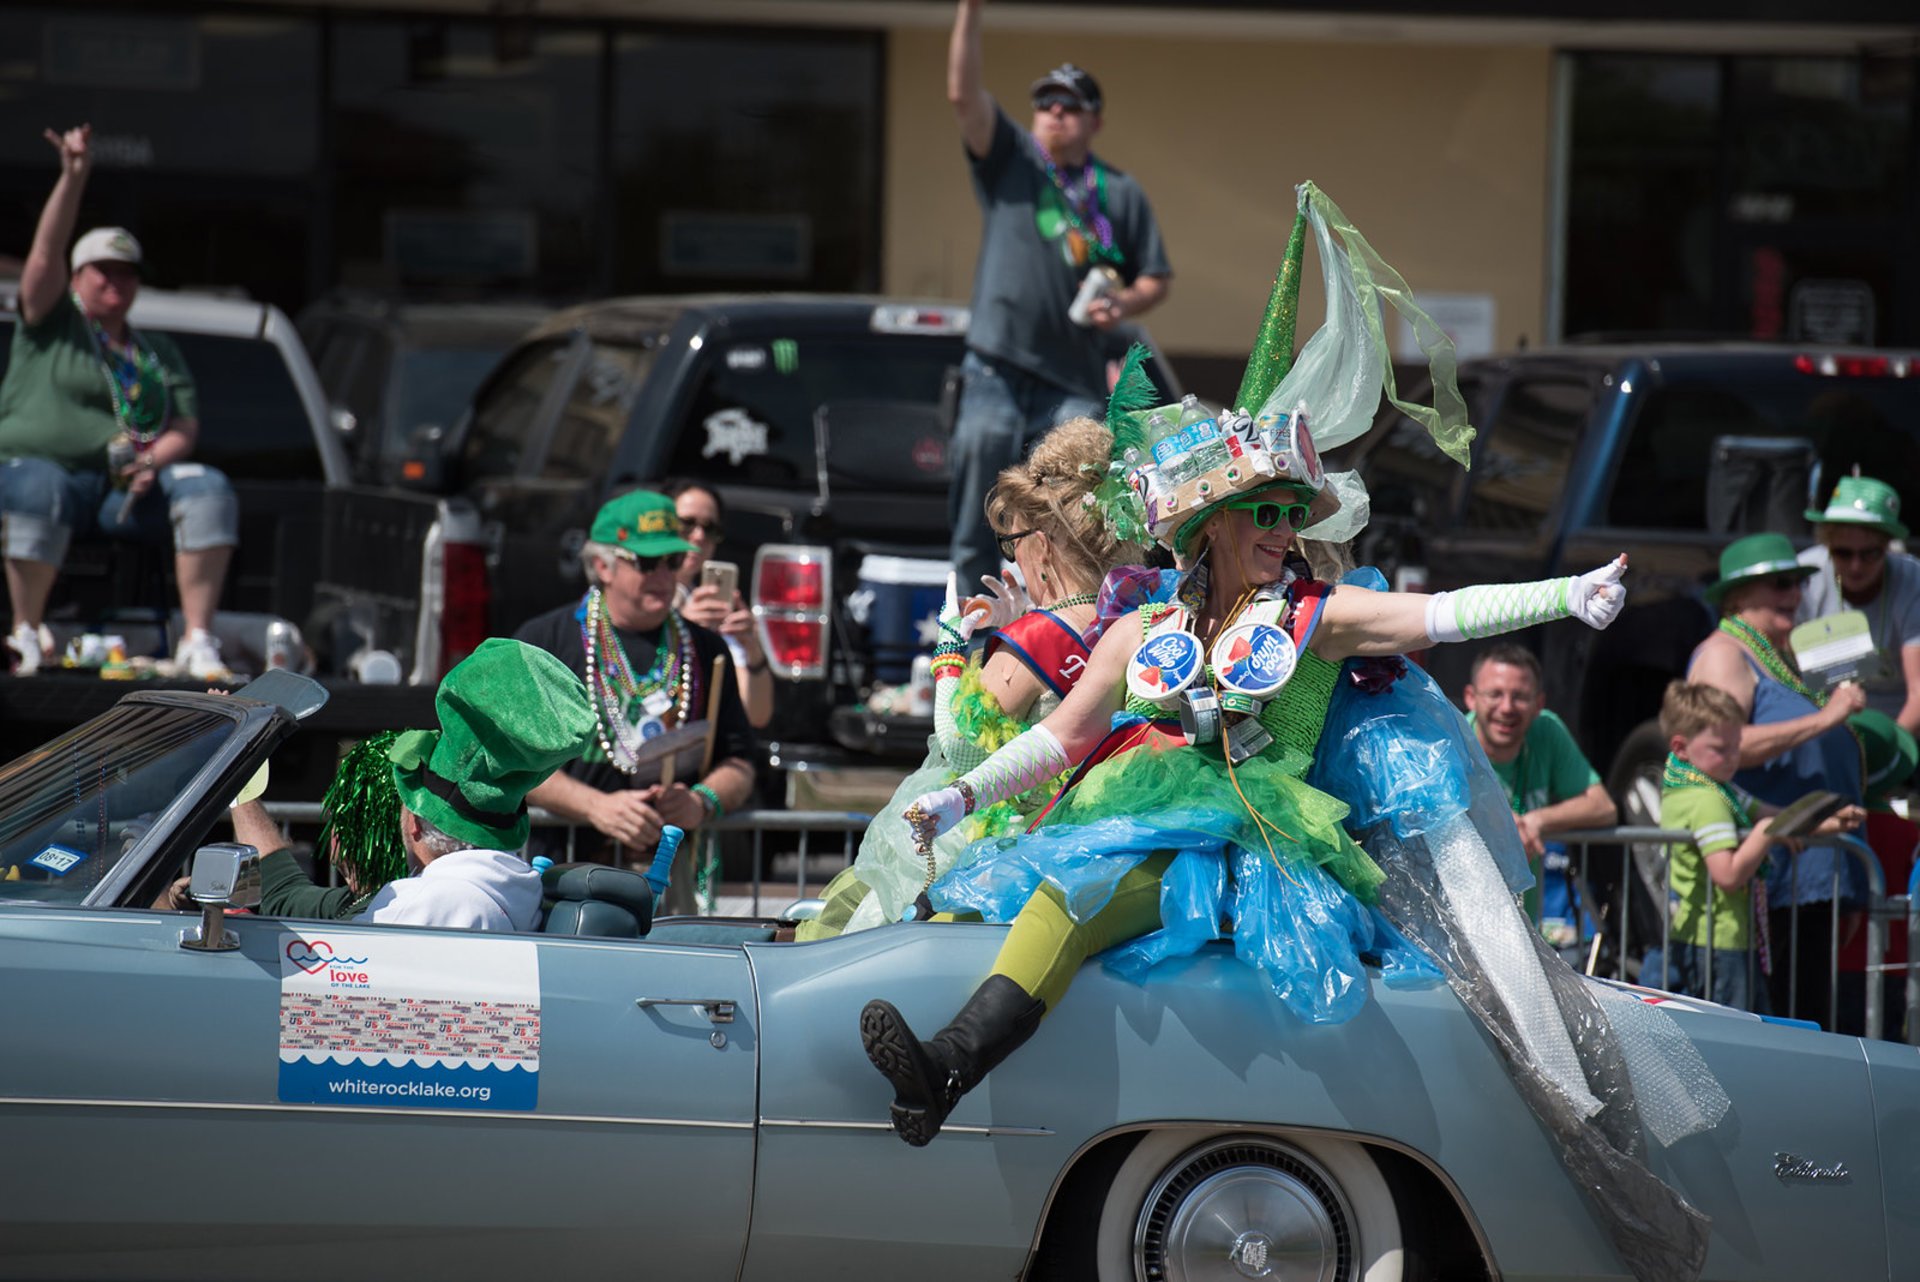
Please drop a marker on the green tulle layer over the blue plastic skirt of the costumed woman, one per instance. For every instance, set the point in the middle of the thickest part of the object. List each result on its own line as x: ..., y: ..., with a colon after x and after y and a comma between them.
x: 1195, y: 790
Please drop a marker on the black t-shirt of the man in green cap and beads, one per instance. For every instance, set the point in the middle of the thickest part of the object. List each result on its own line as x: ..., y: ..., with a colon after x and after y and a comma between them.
x: 558, y: 632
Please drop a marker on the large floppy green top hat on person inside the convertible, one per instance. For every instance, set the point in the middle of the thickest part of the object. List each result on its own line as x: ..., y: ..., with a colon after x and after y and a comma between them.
x: 510, y: 717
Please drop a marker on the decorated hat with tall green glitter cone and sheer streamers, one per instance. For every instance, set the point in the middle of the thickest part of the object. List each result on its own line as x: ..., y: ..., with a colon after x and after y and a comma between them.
x: 1174, y: 465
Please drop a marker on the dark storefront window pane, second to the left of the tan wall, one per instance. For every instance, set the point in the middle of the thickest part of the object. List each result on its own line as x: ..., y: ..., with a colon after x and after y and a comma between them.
x: 466, y: 154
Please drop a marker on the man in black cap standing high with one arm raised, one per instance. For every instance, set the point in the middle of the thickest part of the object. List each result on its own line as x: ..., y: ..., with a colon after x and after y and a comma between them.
x: 1053, y: 214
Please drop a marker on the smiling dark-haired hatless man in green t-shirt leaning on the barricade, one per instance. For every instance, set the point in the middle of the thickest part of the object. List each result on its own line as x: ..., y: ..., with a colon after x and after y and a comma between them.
x: 1550, y: 784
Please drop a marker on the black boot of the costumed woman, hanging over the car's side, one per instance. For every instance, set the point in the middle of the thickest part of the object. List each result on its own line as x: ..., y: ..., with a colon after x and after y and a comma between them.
x: 930, y: 1078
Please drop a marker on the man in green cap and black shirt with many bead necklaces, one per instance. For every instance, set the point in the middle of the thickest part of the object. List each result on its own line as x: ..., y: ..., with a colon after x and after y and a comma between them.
x: 648, y: 675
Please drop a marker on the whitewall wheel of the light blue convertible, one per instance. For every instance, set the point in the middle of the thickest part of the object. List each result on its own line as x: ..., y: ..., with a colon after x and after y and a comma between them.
x: 1189, y: 1206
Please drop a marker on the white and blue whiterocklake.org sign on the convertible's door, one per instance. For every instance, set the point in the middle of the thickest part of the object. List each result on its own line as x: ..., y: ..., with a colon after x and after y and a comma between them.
x: 408, y: 1022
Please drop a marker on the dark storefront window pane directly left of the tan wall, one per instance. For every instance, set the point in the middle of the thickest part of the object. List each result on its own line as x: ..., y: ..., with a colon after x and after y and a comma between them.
x: 746, y: 160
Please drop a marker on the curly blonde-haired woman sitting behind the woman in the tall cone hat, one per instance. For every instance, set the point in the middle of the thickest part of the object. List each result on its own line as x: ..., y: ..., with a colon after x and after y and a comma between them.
x: 1047, y: 525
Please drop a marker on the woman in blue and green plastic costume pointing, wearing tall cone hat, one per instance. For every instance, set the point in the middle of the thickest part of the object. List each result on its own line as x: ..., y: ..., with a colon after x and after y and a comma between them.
x: 1297, y: 730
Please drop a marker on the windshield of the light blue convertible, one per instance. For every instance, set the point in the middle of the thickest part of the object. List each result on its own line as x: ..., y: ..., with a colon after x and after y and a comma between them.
x: 72, y: 809
